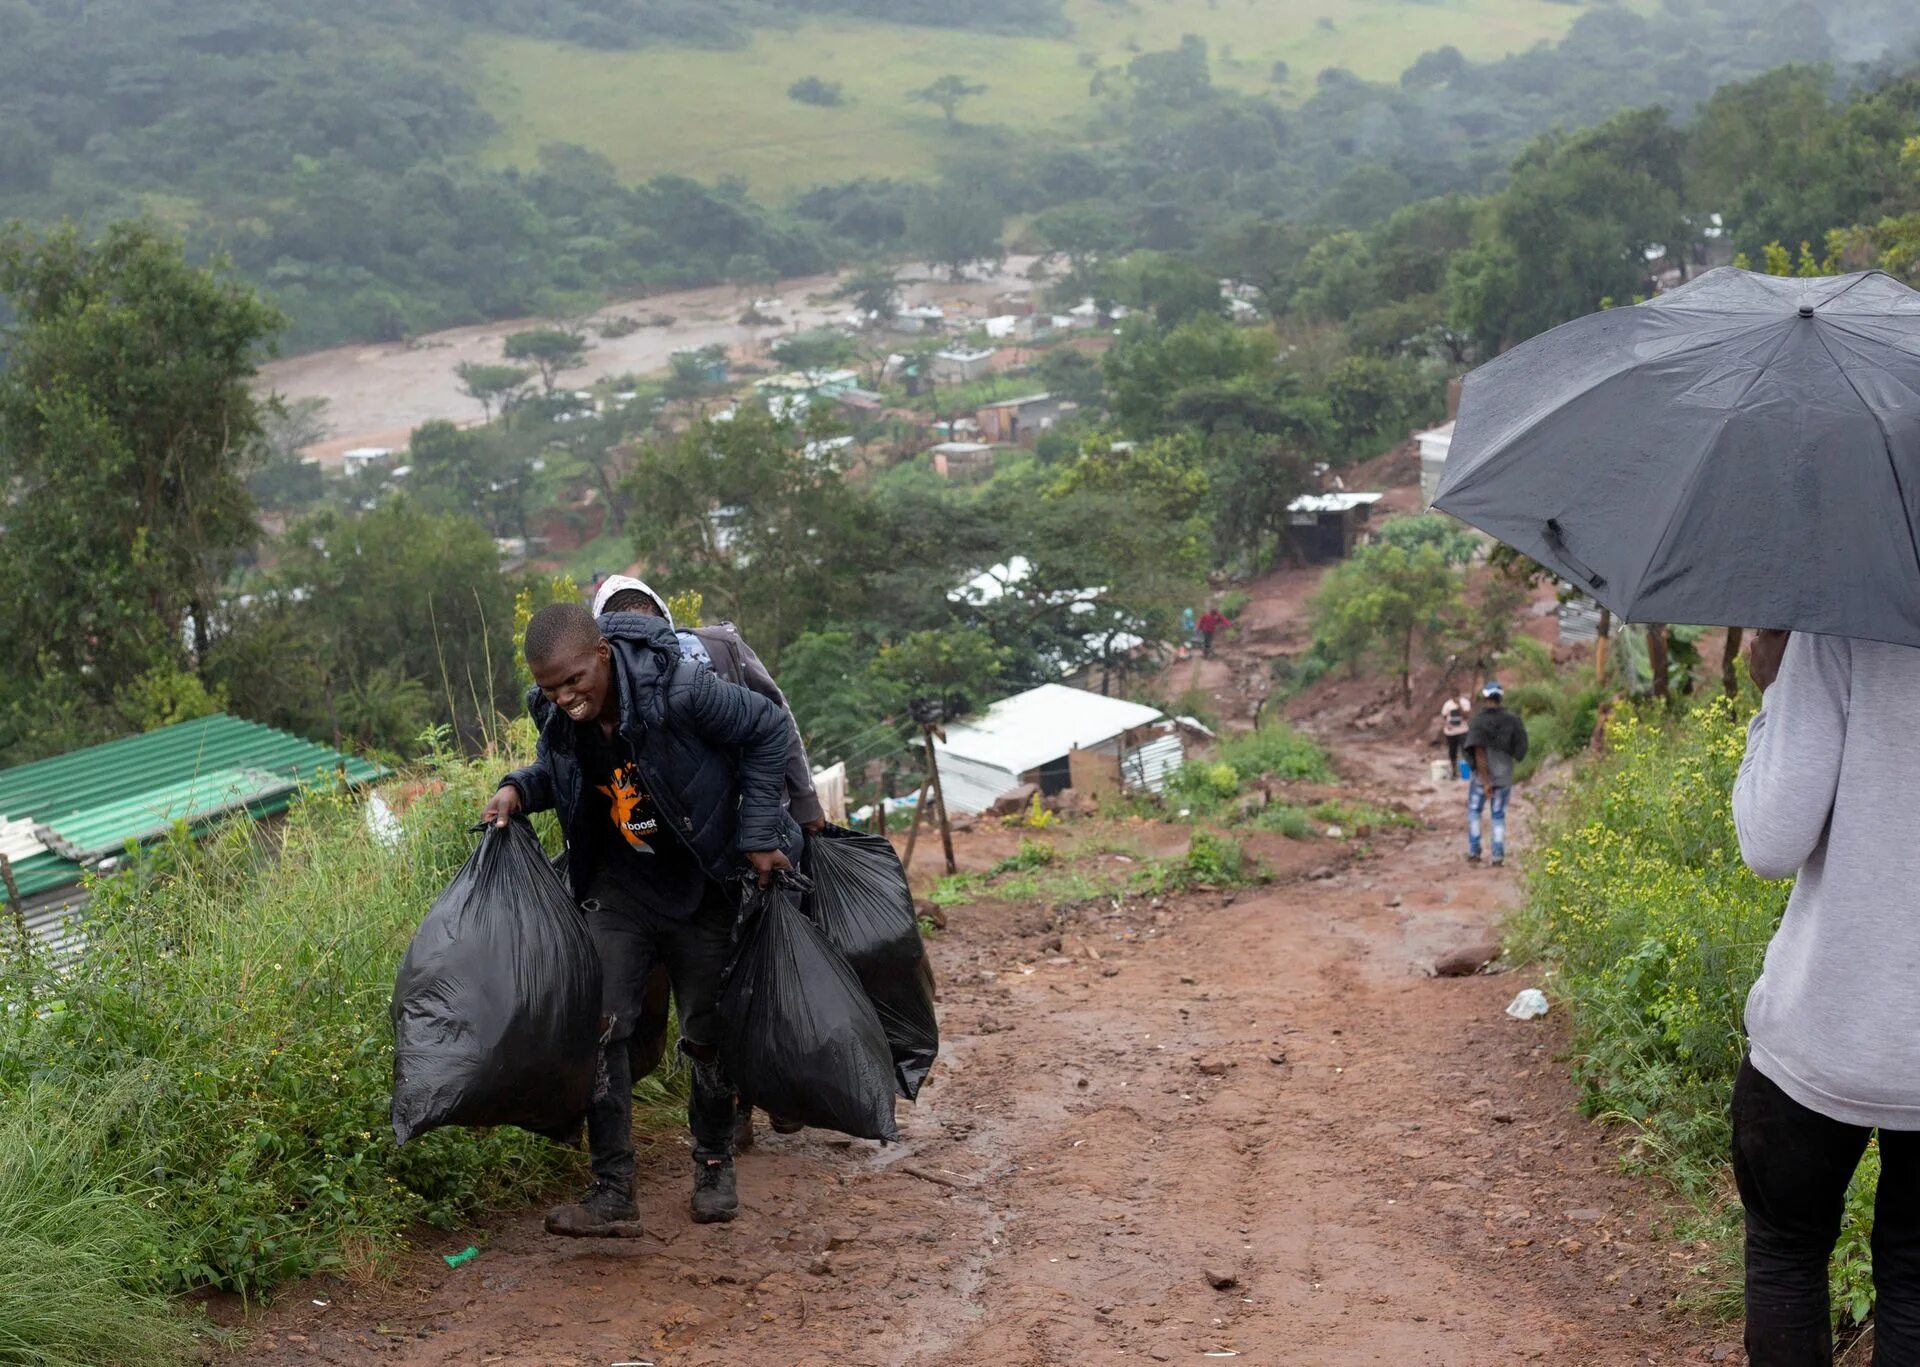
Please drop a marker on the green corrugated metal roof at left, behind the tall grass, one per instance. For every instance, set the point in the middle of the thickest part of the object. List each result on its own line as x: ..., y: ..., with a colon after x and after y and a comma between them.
x: 91, y: 803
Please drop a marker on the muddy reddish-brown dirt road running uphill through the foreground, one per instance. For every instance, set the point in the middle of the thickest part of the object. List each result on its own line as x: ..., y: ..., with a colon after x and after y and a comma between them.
x: 1224, y: 1126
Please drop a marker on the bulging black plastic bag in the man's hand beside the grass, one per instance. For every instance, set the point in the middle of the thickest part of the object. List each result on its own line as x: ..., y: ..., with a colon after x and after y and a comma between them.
x: 498, y: 1001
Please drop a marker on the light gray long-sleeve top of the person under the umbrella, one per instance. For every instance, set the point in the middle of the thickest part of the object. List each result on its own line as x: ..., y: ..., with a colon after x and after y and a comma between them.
x: 1831, y: 790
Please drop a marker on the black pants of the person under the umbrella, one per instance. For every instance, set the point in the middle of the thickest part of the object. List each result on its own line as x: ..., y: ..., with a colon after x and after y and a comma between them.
x: 1794, y: 1166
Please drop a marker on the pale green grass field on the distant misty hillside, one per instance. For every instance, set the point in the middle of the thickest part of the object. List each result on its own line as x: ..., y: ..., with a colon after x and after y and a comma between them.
x: 711, y: 114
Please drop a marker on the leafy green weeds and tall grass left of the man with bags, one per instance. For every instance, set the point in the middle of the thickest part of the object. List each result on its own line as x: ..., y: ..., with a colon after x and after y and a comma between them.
x: 235, y: 992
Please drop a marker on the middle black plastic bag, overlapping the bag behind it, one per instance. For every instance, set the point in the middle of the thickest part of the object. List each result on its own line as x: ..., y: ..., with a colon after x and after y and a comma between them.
x: 798, y: 1034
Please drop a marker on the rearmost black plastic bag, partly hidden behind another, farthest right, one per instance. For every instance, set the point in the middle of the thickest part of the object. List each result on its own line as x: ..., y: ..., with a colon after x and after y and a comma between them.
x: 863, y: 903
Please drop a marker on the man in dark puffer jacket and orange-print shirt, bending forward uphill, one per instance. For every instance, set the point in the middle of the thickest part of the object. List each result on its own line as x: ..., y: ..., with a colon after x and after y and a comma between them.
x: 669, y: 784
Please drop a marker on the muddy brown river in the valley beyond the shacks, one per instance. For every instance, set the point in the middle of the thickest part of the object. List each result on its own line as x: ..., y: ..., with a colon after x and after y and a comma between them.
x: 377, y: 395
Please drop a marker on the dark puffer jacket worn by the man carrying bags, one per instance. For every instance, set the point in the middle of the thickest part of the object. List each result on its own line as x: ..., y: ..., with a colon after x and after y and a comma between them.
x: 711, y: 754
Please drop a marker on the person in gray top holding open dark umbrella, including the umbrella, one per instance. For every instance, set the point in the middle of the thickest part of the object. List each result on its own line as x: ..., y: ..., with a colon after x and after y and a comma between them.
x: 1746, y: 452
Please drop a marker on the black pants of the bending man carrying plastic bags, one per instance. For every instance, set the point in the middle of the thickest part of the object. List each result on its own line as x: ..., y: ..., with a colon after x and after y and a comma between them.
x: 633, y: 942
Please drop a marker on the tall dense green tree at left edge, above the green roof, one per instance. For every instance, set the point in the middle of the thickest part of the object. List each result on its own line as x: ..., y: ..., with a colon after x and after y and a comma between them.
x: 128, y: 429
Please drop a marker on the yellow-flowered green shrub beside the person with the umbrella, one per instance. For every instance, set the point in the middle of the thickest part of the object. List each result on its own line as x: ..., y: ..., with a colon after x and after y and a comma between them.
x: 1656, y: 930
